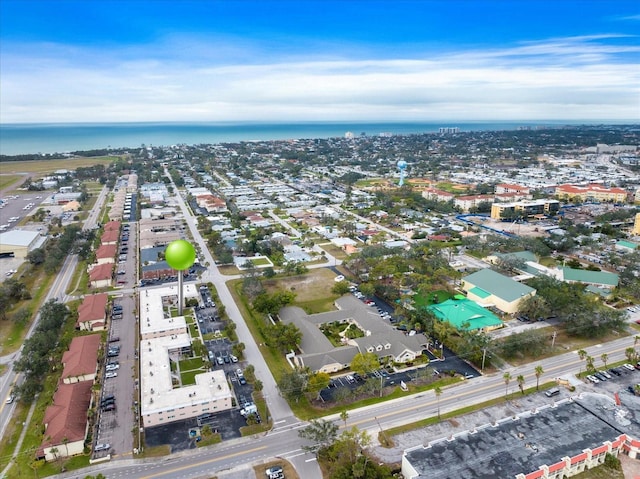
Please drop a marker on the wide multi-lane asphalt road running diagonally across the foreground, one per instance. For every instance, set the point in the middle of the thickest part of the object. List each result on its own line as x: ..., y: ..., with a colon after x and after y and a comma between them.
x: 283, y: 440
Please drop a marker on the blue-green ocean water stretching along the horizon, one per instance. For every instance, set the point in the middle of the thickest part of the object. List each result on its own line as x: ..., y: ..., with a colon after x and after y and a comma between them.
x: 16, y: 139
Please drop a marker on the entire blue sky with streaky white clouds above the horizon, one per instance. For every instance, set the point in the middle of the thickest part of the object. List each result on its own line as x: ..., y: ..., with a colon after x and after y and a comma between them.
x: 401, y: 60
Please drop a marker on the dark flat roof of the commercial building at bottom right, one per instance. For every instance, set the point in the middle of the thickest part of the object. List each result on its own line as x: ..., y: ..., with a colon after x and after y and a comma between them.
x: 521, y: 445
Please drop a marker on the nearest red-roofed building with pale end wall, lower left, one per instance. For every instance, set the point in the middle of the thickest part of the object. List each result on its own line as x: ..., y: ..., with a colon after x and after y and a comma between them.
x: 66, y: 421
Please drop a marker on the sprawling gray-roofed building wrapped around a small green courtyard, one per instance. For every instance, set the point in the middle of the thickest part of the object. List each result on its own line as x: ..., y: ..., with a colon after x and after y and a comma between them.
x: 380, y: 338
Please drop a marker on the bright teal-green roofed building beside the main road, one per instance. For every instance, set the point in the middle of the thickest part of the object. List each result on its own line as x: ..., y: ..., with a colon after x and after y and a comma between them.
x: 464, y: 314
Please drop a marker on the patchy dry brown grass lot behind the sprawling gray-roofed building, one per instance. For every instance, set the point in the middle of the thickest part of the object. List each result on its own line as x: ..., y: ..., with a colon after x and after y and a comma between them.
x: 313, y: 289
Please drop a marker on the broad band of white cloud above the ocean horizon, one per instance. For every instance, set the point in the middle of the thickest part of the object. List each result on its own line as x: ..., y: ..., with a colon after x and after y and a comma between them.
x: 570, y: 78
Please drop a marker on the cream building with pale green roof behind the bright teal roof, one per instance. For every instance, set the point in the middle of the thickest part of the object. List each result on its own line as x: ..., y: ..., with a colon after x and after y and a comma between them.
x: 488, y: 287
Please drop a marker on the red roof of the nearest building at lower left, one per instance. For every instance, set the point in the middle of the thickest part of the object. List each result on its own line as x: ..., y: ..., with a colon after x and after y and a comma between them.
x: 66, y: 418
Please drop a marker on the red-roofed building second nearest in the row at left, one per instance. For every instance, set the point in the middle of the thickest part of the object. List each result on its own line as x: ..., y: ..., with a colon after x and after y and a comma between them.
x: 80, y: 361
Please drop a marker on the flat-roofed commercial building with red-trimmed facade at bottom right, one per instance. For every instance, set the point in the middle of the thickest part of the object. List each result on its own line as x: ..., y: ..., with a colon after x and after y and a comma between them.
x: 535, y: 444
